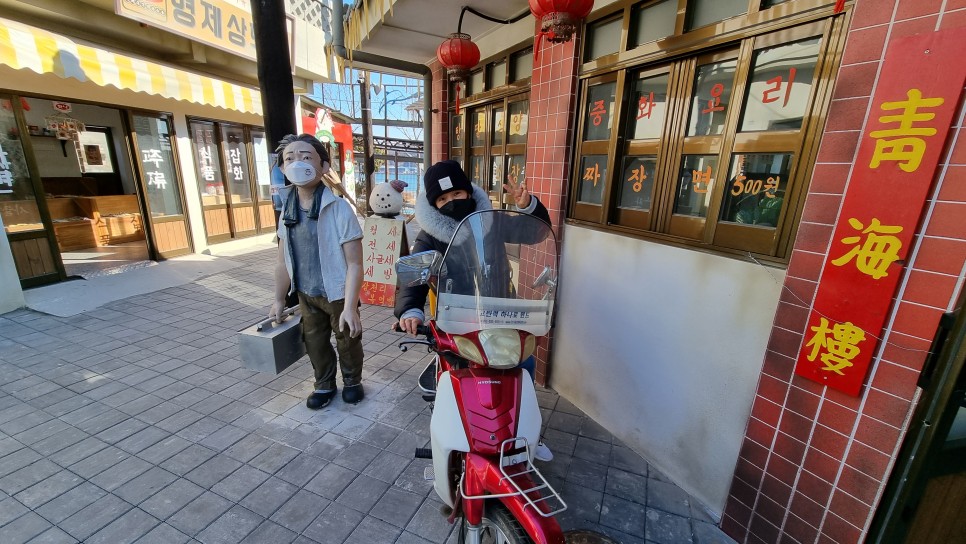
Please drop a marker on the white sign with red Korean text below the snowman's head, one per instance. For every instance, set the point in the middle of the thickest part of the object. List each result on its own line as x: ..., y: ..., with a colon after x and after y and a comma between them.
x: 382, y: 244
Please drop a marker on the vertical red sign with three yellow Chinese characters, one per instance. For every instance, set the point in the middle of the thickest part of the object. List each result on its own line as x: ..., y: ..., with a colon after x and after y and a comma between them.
x: 919, y: 87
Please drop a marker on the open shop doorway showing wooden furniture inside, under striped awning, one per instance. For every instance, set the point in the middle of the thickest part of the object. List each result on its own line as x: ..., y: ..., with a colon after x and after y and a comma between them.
x: 88, y: 185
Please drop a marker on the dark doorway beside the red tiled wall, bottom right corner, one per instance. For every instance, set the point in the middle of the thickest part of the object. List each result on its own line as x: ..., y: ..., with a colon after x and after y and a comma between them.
x: 926, y: 495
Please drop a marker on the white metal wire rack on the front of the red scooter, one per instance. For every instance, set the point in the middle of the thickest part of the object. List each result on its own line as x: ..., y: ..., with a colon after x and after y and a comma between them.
x: 550, y: 500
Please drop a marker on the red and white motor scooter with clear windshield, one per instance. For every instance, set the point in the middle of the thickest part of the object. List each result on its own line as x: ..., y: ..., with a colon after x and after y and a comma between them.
x: 486, y: 421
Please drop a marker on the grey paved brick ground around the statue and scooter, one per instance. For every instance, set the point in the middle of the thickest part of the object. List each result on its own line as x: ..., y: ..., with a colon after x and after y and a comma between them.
x: 135, y: 422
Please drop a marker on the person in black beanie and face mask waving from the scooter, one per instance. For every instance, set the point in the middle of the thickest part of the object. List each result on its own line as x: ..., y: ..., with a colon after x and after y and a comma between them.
x: 450, y: 197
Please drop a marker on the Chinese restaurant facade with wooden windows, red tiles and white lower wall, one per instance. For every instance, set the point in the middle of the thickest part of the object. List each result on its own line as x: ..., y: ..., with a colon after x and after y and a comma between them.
x: 720, y: 175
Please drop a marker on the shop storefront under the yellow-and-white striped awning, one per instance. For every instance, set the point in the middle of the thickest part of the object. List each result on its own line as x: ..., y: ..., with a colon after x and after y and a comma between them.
x: 94, y: 175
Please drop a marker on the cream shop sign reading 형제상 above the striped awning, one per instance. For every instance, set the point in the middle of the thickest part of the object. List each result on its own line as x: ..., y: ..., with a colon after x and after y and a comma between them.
x: 224, y: 24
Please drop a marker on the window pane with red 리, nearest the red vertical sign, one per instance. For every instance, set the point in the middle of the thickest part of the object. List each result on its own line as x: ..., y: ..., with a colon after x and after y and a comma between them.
x: 780, y: 86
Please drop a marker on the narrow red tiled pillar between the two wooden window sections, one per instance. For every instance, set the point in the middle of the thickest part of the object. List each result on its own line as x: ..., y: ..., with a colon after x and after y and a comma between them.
x: 553, y: 89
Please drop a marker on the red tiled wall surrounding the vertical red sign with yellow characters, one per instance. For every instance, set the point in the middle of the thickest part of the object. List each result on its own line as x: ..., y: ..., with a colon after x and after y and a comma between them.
x: 814, y: 461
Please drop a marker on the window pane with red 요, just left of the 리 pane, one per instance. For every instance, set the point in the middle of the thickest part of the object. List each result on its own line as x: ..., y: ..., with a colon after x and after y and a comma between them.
x: 712, y: 95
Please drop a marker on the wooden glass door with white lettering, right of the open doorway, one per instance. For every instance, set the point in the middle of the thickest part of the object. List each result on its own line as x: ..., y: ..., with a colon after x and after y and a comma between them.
x: 160, y: 185
